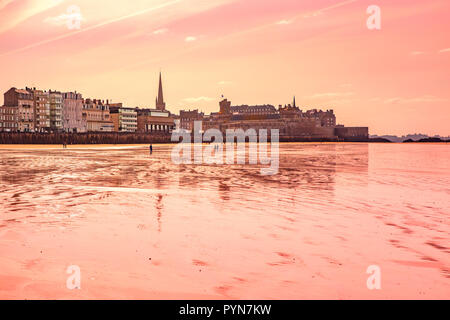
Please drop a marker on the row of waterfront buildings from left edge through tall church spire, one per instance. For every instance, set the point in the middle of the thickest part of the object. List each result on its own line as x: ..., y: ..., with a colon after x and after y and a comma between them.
x: 35, y: 110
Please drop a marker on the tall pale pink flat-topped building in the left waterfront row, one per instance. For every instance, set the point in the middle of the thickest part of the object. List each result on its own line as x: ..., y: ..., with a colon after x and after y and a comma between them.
x: 72, y: 113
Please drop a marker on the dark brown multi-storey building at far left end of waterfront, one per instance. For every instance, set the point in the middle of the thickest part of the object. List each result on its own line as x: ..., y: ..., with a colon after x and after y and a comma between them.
x: 19, y: 104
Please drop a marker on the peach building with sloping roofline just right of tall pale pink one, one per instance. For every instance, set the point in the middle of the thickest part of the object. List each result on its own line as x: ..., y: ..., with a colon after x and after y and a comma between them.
x: 97, y: 116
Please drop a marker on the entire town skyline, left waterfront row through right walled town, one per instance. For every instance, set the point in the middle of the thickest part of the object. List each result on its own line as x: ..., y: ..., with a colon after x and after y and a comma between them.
x: 35, y: 110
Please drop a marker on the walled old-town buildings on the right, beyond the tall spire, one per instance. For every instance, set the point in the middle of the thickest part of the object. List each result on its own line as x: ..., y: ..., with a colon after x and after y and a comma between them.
x: 290, y: 120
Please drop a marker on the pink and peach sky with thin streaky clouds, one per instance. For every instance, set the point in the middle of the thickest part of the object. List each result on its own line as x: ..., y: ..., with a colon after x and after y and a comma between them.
x: 395, y: 80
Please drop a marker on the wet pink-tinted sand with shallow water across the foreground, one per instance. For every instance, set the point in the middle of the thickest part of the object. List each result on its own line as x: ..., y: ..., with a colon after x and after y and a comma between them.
x: 141, y: 227
